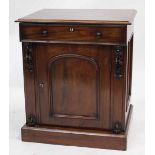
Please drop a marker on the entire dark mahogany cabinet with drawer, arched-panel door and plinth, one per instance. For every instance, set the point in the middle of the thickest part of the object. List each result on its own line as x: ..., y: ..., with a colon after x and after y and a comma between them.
x: 77, y: 76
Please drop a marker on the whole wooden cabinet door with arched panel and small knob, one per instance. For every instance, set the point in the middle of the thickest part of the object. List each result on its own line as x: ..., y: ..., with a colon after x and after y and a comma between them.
x: 73, y: 85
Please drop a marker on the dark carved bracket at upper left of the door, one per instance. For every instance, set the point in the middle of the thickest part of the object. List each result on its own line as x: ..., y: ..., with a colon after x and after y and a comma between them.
x: 28, y: 57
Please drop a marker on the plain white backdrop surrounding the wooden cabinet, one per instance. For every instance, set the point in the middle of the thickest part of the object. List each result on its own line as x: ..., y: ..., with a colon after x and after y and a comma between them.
x: 19, y: 8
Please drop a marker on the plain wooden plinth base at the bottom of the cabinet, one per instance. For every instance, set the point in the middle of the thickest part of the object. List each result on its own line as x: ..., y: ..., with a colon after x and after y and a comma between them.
x: 77, y: 137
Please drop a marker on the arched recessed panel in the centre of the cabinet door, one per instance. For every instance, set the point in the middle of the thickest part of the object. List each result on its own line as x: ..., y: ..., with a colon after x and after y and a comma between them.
x: 74, y: 87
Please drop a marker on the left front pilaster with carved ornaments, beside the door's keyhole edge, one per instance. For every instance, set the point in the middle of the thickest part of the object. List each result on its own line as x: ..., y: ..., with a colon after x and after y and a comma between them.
x: 29, y: 82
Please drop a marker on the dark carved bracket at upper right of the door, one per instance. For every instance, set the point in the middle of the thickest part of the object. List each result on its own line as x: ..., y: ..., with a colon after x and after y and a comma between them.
x: 118, y: 62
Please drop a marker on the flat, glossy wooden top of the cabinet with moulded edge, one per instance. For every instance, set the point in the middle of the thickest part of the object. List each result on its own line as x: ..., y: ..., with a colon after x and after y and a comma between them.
x: 85, y: 16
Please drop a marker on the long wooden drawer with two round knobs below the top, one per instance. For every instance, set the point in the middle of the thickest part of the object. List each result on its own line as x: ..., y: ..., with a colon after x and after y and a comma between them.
x: 80, y: 33
